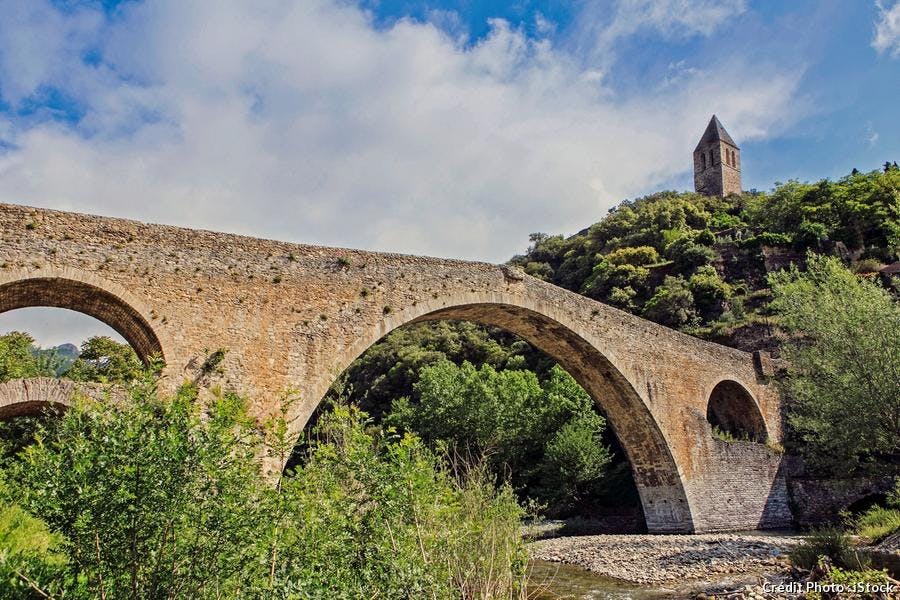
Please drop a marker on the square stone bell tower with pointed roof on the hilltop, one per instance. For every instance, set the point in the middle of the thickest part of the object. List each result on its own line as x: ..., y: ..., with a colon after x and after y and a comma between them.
x: 717, y: 162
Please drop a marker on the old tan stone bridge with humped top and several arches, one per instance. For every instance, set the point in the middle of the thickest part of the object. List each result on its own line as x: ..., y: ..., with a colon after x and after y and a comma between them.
x: 295, y: 316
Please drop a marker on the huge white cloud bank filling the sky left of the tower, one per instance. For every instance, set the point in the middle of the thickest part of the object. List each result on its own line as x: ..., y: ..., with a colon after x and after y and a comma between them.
x: 302, y: 121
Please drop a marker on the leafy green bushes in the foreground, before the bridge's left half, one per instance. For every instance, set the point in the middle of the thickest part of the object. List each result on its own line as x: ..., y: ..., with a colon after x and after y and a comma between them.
x: 167, y: 498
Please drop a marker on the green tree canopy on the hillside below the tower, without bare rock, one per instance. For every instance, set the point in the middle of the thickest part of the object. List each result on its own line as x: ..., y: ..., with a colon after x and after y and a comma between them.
x: 861, y: 210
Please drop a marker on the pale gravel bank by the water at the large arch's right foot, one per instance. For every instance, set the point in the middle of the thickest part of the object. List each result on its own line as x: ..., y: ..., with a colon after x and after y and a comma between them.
x: 650, y: 559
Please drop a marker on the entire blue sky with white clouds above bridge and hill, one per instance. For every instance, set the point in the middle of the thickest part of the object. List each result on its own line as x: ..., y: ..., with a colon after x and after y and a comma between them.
x: 443, y: 127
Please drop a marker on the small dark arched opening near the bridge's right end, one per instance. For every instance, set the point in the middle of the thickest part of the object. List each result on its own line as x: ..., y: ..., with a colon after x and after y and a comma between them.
x: 733, y: 413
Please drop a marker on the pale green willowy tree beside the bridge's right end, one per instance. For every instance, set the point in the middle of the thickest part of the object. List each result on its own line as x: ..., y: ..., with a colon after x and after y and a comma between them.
x: 844, y: 377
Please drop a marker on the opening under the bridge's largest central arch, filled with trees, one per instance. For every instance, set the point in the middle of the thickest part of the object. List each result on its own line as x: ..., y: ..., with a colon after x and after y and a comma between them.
x: 490, y: 397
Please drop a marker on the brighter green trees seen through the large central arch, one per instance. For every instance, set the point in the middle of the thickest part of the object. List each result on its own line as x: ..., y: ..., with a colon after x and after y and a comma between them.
x: 545, y: 435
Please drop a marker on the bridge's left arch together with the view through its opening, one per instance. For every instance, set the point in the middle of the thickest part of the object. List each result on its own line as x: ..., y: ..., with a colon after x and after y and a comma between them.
x: 58, y: 335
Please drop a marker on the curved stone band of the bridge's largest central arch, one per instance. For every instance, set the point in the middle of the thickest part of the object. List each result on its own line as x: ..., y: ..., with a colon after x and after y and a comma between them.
x: 657, y: 476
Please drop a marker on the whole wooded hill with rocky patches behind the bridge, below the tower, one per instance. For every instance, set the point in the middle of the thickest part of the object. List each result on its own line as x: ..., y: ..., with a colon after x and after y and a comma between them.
x: 699, y: 263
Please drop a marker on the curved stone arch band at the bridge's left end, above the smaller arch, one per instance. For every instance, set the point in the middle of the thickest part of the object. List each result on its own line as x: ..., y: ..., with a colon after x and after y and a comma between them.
x: 85, y: 293
